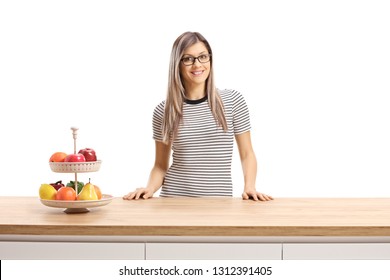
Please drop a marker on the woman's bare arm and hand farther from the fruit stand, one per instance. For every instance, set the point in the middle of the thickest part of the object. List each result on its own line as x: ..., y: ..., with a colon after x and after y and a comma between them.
x: 249, y: 167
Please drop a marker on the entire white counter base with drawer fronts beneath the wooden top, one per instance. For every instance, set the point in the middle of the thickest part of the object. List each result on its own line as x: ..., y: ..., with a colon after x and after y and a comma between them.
x: 193, y: 248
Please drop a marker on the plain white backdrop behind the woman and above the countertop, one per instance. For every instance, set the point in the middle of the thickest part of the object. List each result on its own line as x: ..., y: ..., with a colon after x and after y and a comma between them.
x: 315, y: 75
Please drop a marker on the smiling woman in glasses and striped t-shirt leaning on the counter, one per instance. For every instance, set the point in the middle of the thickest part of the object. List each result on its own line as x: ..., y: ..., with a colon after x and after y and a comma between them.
x: 199, y: 123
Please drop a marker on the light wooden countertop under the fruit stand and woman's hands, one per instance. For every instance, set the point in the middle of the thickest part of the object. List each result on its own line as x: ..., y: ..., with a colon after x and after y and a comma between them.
x: 202, y: 217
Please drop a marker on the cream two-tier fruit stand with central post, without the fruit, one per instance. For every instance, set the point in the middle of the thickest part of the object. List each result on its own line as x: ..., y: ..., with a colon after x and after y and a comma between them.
x: 76, y: 206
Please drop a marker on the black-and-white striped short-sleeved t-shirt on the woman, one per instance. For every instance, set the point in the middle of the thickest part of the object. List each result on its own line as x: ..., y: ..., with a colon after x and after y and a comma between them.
x: 202, y: 151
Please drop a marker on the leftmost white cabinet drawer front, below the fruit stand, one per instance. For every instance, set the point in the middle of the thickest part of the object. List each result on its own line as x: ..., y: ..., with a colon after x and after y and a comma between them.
x: 71, y: 250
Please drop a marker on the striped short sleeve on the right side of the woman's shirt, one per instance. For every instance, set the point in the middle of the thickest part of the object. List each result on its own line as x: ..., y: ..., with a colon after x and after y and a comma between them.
x: 241, y: 118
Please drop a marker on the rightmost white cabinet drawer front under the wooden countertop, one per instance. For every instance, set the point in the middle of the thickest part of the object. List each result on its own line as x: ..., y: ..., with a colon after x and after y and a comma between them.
x: 337, y: 251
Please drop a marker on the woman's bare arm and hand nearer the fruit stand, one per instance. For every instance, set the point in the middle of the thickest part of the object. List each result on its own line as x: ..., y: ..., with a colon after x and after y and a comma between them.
x: 156, y: 178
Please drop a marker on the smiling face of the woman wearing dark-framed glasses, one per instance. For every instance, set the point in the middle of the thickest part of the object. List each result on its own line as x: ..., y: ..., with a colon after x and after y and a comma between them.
x: 197, y: 73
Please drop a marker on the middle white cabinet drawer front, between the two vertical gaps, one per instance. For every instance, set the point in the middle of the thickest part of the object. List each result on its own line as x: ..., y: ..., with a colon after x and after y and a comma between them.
x: 209, y: 251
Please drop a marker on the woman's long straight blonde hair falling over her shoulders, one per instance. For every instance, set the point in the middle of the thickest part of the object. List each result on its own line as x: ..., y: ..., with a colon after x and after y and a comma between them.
x: 173, y: 111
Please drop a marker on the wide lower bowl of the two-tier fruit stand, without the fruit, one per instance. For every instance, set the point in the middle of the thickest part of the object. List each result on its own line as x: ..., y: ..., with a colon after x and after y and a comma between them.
x: 78, y: 206
